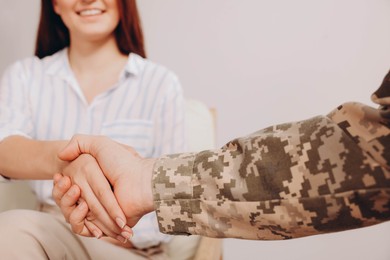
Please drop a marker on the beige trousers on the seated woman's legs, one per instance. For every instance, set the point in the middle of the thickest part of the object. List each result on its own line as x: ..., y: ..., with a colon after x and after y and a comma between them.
x: 28, y: 234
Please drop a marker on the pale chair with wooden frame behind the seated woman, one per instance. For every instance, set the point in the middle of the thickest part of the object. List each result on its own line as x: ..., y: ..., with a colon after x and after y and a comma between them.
x: 200, y: 124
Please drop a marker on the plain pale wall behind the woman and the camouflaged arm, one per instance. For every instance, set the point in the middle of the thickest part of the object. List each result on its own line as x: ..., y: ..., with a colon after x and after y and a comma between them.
x: 259, y: 63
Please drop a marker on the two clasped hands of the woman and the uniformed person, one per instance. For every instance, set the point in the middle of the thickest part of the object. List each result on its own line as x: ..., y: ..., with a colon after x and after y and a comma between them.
x: 105, y: 187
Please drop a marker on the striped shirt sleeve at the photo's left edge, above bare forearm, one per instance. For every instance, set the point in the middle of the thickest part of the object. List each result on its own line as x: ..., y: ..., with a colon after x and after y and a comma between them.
x: 15, y: 113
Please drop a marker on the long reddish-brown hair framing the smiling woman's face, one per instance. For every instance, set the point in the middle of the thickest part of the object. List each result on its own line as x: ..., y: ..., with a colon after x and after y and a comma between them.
x: 53, y: 35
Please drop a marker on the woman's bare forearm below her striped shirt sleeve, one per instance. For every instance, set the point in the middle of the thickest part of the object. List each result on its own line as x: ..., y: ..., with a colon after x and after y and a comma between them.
x: 23, y: 158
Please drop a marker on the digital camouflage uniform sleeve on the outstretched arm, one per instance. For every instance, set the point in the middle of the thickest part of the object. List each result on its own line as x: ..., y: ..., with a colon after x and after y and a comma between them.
x: 324, y: 174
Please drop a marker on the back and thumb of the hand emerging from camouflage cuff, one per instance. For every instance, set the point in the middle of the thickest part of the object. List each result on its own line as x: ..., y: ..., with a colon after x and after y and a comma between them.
x: 129, y: 174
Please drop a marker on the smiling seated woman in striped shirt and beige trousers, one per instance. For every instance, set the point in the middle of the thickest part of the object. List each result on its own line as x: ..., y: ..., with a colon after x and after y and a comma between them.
x: 89, y: 76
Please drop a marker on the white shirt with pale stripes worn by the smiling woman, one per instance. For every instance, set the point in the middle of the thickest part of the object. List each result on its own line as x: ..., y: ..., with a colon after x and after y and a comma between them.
x: 41, y: 99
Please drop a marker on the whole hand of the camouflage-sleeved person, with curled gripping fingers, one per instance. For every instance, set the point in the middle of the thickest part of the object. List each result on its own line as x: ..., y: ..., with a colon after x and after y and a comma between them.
x: 129, y: 174
